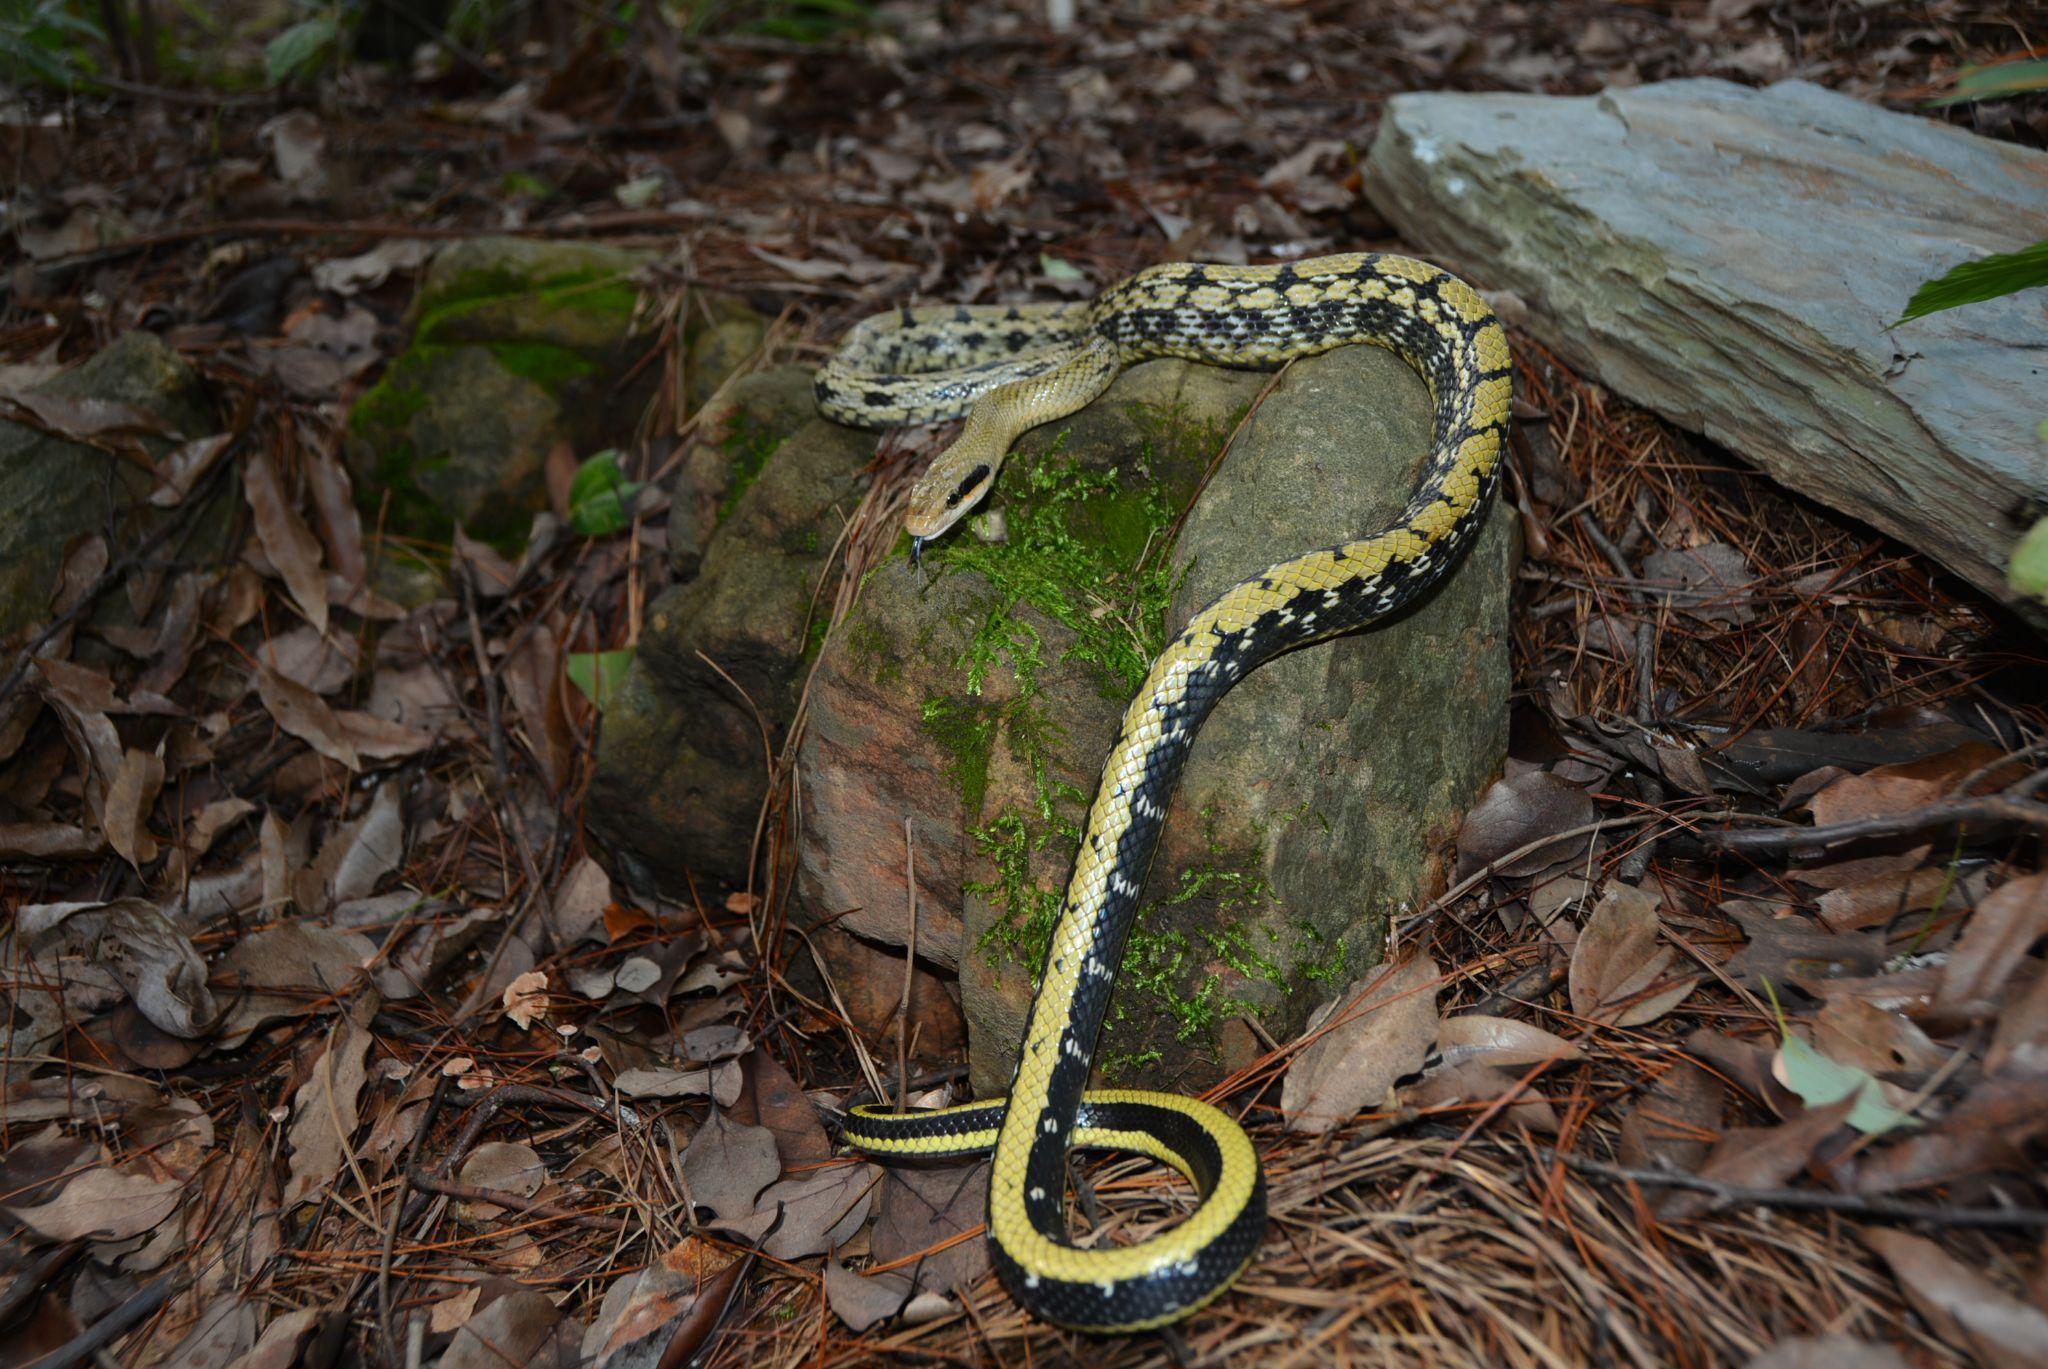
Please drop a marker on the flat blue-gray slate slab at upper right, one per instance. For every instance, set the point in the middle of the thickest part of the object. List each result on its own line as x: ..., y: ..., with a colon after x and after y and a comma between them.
x: 1732, y: 259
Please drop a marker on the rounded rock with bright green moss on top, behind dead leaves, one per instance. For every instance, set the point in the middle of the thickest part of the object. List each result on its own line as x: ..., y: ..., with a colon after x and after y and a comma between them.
x: 517, y: 345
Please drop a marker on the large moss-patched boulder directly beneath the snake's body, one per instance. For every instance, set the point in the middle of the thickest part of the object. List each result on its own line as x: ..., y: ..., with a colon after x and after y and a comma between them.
x: 980, y: 706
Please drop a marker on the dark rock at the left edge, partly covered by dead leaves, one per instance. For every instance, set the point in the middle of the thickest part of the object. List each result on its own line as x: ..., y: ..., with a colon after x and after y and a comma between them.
x: 58, y: 491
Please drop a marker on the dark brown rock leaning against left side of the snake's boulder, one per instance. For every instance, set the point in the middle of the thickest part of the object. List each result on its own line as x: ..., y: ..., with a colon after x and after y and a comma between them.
x: 681, y: 765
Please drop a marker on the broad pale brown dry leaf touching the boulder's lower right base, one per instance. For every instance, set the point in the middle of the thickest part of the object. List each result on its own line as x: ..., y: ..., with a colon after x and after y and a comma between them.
x: 1383, y: 1030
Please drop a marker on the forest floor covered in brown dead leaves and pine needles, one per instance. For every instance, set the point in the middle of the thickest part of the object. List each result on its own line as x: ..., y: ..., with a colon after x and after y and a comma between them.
x: 1742, y: 1085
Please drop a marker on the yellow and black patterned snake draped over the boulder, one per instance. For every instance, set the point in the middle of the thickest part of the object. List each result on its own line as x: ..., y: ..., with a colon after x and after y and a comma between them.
x: 1007, y: 370
